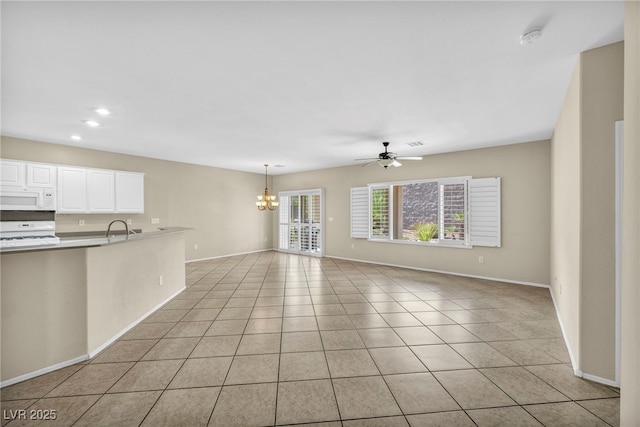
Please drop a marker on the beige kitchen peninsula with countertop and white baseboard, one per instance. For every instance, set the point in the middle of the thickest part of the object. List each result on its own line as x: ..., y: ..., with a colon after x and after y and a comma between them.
x: 64, y: 303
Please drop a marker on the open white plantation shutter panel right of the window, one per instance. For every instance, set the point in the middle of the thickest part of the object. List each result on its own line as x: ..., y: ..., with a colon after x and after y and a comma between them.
x: 484, y: 212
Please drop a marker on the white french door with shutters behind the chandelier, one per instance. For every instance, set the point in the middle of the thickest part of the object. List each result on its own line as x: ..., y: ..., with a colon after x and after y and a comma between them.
x: 300, y: 222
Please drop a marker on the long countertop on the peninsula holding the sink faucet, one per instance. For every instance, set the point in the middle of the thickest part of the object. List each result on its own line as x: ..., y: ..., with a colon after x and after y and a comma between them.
x: 97, y: 240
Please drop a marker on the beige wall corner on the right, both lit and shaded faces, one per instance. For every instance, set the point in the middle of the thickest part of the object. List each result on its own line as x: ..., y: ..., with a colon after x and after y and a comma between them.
x: 583, y: 209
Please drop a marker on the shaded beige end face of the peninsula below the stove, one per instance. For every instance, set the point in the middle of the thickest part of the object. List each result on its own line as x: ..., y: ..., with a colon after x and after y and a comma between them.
x: 44, y: 312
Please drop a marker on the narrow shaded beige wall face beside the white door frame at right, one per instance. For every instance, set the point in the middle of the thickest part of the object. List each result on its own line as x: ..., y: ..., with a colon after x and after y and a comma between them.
x: 602, y: 105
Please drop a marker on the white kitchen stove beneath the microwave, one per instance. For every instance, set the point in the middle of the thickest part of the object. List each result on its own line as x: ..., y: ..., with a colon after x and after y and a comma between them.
x: 27, y: 233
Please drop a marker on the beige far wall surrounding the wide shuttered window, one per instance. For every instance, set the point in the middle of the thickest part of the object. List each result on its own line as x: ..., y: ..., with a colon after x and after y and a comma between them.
x: 524, y: 169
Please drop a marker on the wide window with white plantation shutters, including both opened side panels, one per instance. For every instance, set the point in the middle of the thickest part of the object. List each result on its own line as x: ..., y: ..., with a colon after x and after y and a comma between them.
x: 451, y: 211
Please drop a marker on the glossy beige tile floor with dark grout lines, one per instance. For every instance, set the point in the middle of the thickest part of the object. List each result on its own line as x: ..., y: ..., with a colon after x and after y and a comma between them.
x: 278, y: 339
